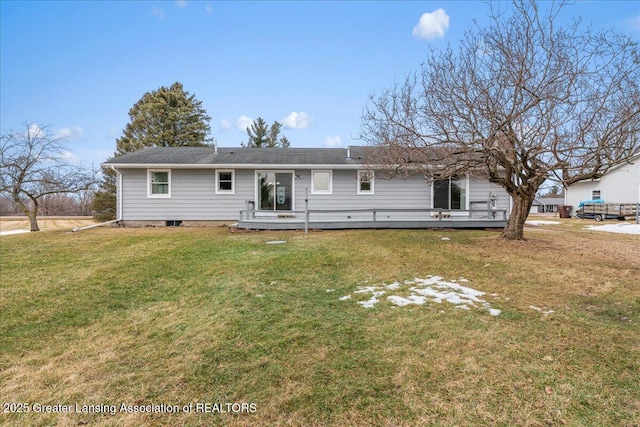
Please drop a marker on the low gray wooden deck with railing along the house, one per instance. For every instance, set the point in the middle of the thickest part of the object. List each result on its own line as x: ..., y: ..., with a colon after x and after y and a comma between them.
x: 371, y: 219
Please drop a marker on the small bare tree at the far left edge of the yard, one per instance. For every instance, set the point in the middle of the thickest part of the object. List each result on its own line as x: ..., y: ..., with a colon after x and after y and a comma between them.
x: 33, y: 167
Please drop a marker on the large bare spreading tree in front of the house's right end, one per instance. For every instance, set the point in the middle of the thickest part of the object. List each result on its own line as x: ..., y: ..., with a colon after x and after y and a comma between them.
x: 520, y: 101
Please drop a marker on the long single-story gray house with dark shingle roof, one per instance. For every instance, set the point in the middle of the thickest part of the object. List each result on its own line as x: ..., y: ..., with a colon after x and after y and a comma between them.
x: 160, y: 185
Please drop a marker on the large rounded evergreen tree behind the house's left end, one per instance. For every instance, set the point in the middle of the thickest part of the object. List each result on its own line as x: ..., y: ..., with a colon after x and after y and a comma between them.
x: 167, y: 117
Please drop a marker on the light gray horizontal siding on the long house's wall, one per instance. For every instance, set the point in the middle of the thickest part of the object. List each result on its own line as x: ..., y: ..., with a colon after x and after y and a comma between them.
x: 193, y: 195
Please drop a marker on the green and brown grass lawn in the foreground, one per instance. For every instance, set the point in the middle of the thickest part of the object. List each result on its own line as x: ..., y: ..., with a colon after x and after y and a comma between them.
x: 195, y: 316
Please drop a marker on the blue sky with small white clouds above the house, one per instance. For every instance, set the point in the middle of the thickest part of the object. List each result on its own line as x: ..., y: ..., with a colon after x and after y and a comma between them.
x: 80, y: 66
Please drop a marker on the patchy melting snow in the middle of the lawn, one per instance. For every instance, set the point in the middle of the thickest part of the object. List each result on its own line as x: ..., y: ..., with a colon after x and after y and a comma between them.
x: 431, y: 289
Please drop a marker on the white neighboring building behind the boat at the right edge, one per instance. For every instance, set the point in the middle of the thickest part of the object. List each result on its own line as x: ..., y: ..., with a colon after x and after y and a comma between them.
x: 620, y: 185
